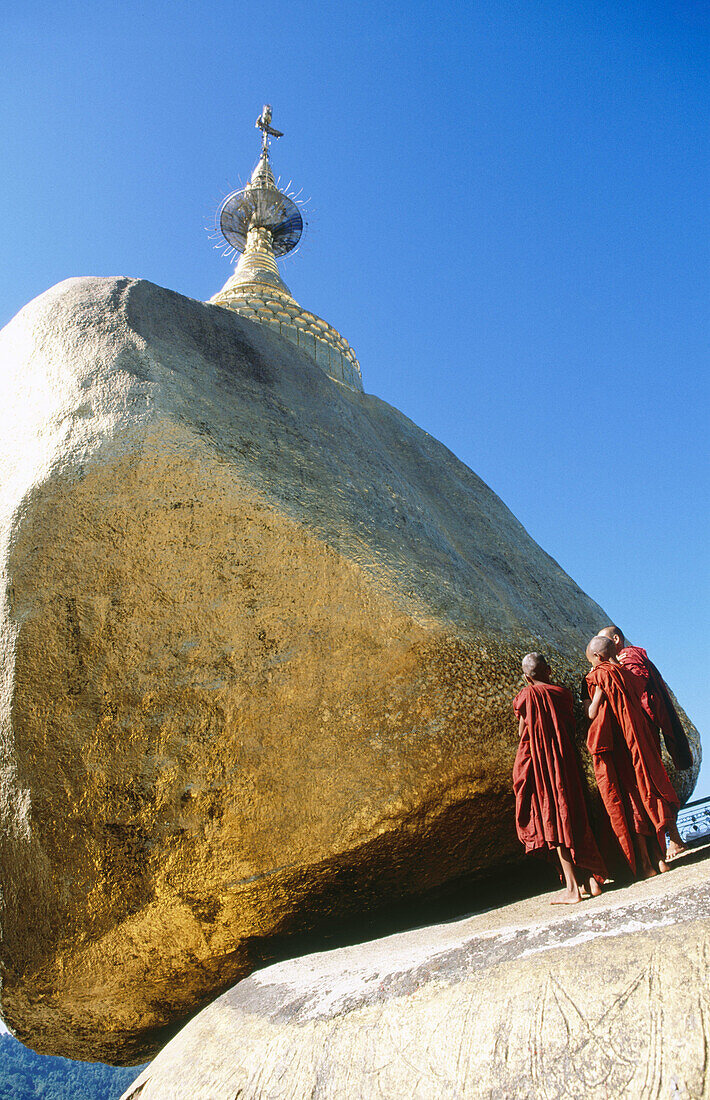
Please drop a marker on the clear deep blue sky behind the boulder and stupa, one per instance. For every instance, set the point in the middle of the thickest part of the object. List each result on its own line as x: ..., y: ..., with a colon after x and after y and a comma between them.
x: 509, y: 223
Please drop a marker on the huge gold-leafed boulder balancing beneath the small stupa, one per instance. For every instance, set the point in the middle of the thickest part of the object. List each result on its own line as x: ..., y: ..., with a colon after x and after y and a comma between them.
x: 260, y: 637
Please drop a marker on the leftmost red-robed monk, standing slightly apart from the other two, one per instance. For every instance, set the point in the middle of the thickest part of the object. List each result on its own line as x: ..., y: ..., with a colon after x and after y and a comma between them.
x: 551, y: 815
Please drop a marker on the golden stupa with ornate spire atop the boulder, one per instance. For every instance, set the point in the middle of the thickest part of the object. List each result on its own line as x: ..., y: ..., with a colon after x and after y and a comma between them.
x: 263, y: 223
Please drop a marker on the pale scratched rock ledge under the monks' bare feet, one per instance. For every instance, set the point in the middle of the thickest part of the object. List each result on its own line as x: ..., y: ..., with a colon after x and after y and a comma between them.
x: 608, y: 999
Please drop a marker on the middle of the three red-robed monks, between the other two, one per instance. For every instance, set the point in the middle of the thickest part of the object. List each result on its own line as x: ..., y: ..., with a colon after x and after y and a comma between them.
x: 635, y: 786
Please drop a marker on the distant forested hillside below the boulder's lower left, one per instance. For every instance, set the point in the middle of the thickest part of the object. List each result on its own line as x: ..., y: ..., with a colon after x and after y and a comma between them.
x: 28, y: 1076
